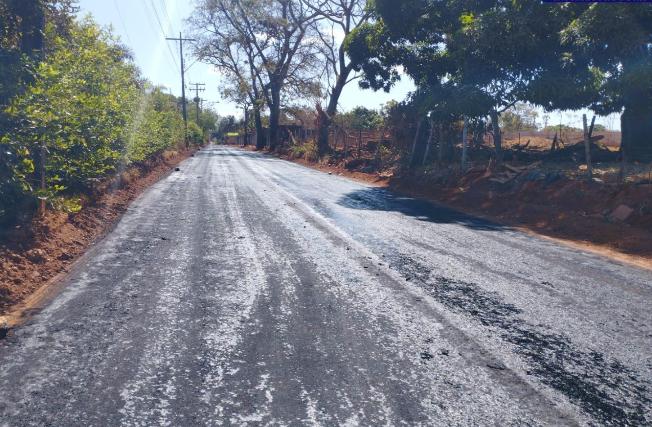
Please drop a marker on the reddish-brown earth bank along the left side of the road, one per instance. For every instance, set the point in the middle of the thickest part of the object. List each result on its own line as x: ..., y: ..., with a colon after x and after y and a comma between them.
x: 34, y: 254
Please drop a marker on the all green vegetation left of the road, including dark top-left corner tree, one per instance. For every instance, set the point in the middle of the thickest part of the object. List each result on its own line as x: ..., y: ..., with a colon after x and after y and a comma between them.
x: 74, y: 110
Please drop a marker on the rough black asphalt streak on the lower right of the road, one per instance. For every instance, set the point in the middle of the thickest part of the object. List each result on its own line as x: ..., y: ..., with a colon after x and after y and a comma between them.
x: 606, y: 389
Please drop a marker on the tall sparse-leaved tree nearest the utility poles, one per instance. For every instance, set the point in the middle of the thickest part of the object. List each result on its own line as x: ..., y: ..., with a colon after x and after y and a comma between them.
x: 275, y: 38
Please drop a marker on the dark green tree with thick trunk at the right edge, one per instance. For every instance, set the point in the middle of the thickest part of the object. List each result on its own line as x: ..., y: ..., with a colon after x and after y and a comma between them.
x: 613, y: 42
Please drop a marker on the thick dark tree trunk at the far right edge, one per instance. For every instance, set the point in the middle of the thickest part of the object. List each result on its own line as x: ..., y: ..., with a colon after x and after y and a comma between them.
x: 636, y: 128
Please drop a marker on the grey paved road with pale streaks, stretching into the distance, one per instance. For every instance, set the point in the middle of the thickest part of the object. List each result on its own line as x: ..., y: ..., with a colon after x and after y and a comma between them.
x: 245, y: 290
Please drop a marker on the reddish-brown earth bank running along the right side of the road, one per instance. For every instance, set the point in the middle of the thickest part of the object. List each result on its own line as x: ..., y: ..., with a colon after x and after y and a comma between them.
x: 609, y: 219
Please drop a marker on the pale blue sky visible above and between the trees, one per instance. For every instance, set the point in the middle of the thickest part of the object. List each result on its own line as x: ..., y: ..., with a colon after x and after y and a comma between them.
x: 143, y: 25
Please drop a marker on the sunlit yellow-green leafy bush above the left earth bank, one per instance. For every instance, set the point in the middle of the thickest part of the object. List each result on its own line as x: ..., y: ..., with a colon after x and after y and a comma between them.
x: 86, y: 111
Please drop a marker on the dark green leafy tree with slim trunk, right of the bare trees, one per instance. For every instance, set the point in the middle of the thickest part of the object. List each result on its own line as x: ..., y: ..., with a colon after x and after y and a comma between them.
x: 474, y: 59
